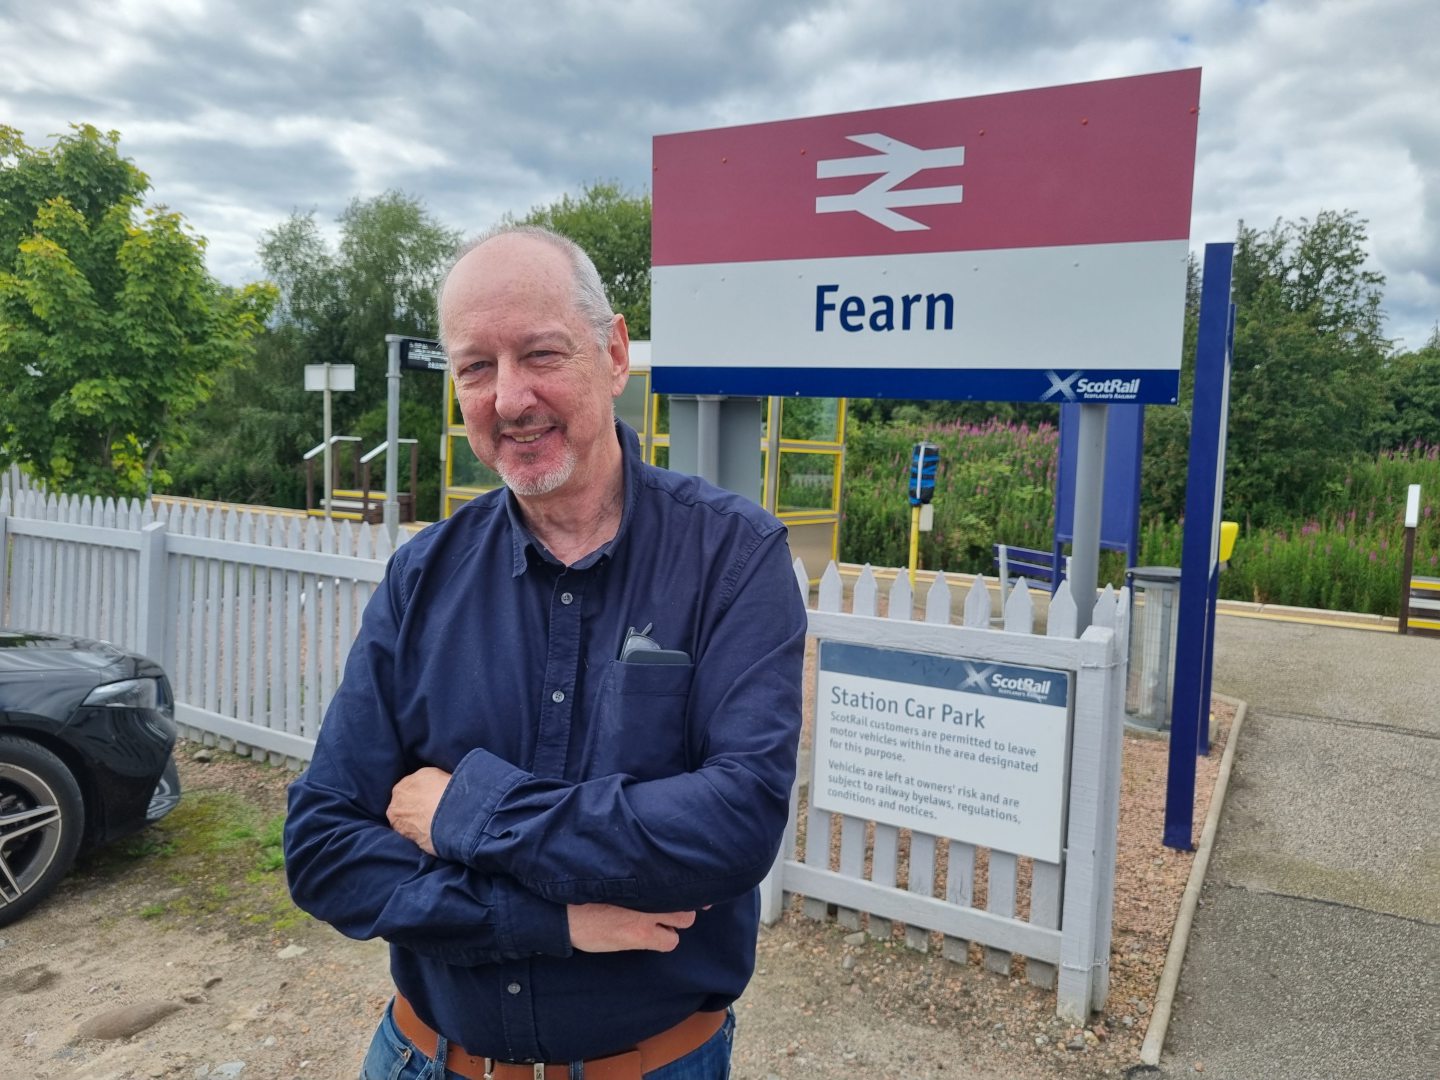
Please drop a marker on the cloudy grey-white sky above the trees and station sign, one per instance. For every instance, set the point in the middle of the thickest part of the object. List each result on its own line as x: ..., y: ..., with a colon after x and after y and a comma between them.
x: 243, y: 113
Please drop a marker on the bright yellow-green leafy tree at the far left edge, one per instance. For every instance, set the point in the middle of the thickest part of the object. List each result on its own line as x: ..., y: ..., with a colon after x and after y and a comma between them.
x: 112, y: 330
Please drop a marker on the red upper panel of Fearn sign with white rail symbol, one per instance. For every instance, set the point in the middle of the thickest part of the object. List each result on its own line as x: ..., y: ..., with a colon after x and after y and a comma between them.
x: 1082, y: 165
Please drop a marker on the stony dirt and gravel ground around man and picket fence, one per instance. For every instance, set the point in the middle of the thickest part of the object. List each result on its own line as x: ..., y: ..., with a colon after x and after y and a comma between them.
x: 261, y: 994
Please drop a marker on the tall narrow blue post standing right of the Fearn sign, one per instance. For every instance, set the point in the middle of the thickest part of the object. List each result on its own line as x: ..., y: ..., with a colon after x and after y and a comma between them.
x: 1200, y: 558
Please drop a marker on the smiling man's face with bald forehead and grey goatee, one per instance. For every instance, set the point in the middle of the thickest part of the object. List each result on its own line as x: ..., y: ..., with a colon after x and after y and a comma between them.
x: 535, y: 388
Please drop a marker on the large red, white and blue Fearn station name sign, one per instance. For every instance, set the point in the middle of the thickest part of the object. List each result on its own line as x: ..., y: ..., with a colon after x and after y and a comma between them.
x: 1012, y: 247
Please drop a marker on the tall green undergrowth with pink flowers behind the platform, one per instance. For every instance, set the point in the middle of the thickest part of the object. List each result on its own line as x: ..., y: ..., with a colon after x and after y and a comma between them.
x: 997, y: 480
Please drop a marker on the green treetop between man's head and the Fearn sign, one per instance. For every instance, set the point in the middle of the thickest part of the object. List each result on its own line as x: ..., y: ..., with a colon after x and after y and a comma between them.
x: 614, y: 228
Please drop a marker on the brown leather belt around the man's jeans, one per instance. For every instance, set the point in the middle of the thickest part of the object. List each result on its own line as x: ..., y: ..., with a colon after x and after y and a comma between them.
x: 647, y: 1056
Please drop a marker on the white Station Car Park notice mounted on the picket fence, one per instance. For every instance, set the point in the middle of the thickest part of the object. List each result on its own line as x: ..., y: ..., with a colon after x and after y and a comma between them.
x: 953, y: 748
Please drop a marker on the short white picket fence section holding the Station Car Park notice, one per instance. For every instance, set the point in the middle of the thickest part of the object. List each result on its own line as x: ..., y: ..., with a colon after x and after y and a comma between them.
x: 1071, y: 904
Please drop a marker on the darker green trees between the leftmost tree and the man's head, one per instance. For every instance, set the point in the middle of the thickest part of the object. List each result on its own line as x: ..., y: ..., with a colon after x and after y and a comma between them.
x: 336, y: 306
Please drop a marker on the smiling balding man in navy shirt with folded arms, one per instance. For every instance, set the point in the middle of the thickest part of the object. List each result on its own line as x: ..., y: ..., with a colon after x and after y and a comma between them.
x: 562, y: 752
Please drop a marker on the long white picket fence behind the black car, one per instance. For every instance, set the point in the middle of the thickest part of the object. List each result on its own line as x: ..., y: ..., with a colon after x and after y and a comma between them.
x: 251, y: 616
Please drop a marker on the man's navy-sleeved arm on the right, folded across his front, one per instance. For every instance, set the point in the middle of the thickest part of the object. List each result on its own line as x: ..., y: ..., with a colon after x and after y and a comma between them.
x: 662, y: 845
